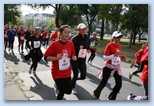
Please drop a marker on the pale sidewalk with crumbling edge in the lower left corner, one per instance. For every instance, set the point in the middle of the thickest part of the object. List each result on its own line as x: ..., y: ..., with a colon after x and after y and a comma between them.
x: 12, y: 83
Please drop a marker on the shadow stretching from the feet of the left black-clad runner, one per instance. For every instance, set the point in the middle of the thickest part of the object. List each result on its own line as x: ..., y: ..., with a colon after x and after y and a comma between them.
x: 43, y: 90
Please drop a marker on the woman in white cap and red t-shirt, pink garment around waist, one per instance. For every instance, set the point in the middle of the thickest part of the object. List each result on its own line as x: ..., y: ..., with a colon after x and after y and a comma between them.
x: 112, y: 57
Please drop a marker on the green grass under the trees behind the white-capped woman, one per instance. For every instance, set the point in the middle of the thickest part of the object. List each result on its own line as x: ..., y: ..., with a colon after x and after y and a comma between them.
x: 128, y: 52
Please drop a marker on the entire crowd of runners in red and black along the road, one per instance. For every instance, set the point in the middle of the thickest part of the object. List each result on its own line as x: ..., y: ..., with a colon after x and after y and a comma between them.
x: 68, y: 56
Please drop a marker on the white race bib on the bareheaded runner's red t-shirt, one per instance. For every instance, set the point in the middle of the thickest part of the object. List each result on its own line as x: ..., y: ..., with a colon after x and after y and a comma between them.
x: 64, y: 63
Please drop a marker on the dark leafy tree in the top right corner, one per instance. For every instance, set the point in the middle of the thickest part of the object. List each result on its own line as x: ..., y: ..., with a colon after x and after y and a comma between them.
x: 136, y: 20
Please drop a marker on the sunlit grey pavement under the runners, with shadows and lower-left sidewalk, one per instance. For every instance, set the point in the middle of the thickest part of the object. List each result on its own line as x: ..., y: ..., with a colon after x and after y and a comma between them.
x: 19, y: 85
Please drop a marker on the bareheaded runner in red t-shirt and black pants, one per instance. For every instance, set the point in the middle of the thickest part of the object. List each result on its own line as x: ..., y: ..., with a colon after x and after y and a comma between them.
x: 60, y: 52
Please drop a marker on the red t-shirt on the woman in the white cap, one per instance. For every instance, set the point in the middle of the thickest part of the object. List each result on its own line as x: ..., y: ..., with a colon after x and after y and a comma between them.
x: 110, y: 49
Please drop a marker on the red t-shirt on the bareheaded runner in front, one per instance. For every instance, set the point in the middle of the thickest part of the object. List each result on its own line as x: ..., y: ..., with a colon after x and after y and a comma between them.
x: 66, y: 49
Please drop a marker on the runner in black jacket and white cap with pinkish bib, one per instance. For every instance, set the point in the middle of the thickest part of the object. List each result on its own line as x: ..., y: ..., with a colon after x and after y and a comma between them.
x: 81, y: 44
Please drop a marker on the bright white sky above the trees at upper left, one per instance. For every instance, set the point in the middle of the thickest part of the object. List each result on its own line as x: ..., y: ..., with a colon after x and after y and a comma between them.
x: 26, y: 9
